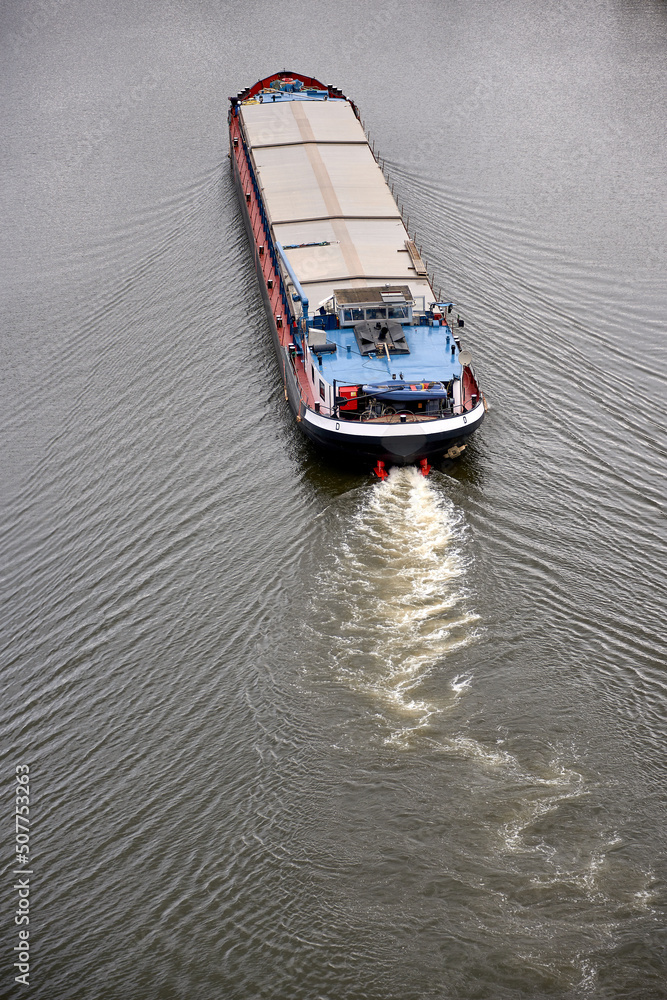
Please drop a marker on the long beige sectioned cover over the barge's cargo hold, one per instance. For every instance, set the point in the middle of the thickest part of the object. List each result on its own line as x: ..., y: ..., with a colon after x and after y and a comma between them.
x: 321, y: 184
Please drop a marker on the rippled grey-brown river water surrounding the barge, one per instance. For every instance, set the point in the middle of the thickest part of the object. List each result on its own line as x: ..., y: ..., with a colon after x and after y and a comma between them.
x: 292, y: 733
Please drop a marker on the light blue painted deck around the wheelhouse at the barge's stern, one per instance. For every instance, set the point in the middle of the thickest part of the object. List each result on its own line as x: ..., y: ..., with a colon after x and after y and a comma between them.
x: 429, y: 360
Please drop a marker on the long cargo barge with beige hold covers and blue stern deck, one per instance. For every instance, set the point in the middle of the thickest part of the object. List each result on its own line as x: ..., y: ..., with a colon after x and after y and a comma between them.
x: 373, y: 368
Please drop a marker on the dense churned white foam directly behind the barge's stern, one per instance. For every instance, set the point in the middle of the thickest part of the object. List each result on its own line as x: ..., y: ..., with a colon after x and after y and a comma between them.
x: 395, y: 592
